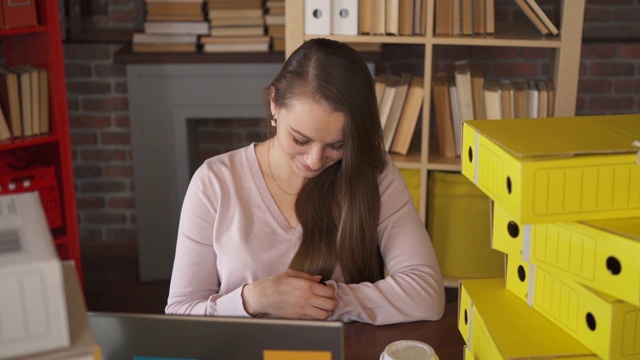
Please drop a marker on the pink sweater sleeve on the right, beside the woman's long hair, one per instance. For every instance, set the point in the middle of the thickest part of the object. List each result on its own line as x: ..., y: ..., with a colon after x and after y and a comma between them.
x: 413, y: 289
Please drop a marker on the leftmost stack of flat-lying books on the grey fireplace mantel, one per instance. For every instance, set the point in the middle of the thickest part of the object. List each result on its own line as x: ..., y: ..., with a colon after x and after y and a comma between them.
x: 171, y: 26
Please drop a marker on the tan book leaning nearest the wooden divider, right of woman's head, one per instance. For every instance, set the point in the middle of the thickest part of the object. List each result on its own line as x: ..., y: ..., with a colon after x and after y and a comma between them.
x: 409, y: 117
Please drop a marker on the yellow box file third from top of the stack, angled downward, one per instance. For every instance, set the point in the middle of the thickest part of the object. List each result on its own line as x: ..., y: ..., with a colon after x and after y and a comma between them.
x: 607, y: 326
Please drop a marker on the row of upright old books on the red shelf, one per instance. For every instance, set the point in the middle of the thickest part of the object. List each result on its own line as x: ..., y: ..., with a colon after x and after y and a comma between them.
x: 24, y: 102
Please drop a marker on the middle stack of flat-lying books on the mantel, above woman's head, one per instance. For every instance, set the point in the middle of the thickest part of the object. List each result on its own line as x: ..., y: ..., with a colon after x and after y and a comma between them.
x: 235, y: 26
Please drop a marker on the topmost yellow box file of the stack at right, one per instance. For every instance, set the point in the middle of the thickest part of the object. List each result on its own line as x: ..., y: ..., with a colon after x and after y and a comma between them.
x: 557, y: 169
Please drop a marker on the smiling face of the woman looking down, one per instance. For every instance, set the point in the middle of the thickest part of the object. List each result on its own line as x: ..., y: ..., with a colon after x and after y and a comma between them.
x: 311, y: 135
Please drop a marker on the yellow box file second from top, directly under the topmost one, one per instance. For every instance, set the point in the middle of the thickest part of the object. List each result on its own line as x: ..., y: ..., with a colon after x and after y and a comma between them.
x: 601, y: 254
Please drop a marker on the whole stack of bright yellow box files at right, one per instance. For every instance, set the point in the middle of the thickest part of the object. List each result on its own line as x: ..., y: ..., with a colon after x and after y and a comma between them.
x: 566, y: 212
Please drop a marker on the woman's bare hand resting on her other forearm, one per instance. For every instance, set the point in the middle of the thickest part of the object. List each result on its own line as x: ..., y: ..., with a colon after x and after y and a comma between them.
x: 290, y: 294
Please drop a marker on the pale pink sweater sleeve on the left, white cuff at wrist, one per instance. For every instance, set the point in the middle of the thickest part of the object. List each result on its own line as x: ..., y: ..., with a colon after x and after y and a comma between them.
x: 195, y: 282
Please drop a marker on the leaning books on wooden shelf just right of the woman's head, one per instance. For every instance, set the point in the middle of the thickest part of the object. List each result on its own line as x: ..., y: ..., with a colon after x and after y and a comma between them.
x: 400, y: 101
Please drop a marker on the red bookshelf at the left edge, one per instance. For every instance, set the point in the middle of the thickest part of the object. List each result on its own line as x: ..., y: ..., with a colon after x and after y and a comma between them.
x: 22, y: 157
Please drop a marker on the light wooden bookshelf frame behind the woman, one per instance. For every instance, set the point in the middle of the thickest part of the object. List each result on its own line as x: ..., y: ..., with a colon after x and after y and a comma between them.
x: 564, y: 69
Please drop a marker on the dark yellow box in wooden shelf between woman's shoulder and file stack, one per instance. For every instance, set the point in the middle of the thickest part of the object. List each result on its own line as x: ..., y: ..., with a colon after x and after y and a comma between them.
x: 458, y: 221
